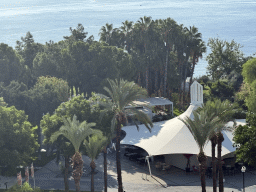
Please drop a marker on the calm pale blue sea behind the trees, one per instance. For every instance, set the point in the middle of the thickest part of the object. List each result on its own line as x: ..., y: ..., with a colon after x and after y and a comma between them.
x: 51, y: 19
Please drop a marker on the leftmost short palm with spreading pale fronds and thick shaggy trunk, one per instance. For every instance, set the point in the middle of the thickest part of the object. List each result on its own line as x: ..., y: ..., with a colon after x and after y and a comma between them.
x: 75, y: 132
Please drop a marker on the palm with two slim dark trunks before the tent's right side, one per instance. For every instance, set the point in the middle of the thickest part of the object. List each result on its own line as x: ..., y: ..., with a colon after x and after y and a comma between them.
x: 225, y: 111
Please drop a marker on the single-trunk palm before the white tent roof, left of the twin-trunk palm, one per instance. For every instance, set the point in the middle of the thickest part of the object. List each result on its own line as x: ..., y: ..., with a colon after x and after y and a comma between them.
x: 202, y: 128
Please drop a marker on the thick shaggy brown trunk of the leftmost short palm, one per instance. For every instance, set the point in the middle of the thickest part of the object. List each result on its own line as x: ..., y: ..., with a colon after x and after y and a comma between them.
x: 77, y: 169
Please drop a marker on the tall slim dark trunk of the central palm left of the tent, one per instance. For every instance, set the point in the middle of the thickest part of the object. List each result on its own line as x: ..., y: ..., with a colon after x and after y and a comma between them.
x: 118, y: 161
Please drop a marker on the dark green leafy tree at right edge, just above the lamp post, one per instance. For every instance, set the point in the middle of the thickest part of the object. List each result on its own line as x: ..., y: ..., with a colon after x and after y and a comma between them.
x: 245, y: 136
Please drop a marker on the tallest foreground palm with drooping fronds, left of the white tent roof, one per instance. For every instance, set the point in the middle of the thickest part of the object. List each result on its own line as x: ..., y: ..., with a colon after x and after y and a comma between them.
x: 122, y: 94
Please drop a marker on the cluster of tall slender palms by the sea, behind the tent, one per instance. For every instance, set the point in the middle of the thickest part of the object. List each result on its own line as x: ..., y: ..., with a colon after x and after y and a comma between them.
x: 157, y: 48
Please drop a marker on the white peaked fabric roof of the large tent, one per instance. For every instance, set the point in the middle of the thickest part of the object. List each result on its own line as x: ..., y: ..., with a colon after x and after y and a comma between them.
x: 172, y: 137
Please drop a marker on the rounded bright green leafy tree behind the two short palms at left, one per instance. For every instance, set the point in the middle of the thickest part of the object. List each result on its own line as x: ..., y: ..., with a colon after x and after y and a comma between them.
x: 85, y: 110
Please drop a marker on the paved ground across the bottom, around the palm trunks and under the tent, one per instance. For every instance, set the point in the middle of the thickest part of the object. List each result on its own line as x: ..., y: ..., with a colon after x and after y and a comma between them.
x: 133, y: 175
